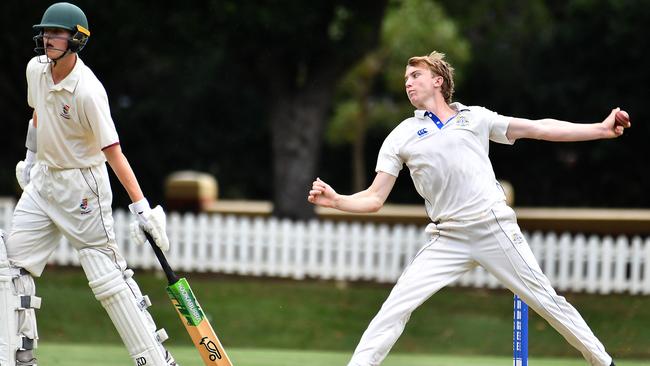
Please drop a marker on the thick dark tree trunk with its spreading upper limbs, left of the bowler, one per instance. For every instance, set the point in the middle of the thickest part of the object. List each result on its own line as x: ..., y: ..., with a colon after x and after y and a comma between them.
x: 301, y: 84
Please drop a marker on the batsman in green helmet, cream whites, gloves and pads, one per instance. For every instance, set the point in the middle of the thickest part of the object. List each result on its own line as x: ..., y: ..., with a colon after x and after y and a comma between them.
x: 66, y: 192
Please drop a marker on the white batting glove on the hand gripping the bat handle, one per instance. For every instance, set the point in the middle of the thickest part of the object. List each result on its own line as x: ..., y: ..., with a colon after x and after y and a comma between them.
x: 152, y: 221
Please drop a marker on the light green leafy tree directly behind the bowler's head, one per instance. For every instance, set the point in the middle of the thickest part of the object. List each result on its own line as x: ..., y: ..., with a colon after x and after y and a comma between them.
x: 372, y: 93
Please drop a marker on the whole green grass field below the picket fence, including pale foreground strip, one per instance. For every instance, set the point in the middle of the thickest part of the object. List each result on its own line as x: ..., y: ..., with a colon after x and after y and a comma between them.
x: 252, y: 315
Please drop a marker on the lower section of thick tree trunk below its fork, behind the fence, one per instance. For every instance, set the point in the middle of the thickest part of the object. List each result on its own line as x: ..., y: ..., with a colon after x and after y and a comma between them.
x: 297, y: 123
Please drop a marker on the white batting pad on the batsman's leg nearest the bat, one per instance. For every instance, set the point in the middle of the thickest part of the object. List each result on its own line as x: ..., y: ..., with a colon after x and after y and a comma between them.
x: 121, y: 297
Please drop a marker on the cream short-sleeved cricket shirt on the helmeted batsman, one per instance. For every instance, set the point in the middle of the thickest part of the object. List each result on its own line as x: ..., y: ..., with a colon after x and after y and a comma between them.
x: 74, y: 120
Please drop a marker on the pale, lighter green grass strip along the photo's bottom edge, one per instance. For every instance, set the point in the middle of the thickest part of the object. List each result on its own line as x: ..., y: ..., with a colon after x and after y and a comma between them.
x: 112, y: 355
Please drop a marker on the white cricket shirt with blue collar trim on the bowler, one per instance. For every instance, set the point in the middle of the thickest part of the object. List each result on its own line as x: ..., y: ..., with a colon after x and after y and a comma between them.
x: 449, y: 166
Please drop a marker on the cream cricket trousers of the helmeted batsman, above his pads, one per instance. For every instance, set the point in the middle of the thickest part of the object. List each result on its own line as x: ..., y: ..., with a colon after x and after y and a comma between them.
x: 75, y: 203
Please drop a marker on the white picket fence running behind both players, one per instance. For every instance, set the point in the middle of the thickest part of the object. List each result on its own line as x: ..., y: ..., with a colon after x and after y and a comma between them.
x: 363, y: 251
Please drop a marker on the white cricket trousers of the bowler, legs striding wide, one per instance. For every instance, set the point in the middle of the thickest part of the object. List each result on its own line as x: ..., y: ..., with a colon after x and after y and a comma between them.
x: 496, y: 243
